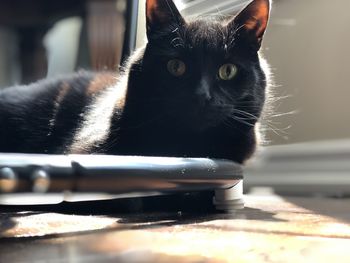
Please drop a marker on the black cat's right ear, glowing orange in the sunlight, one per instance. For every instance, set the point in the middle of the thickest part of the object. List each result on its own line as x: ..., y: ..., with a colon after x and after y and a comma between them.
x: 252, y: 21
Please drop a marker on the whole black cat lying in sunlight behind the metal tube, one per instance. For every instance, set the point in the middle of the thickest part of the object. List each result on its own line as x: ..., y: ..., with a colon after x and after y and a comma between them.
x: 197, y: 89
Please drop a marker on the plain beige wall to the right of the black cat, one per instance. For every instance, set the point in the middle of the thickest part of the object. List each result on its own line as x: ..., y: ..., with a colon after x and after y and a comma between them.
x: 307, y: 45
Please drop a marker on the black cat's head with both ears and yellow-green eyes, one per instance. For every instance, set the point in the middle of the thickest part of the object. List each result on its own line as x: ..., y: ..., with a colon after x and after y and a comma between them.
x: 206, y: 73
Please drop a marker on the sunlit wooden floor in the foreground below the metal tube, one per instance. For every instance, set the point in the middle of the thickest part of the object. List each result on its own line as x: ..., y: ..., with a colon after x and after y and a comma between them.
x: 269, y: 229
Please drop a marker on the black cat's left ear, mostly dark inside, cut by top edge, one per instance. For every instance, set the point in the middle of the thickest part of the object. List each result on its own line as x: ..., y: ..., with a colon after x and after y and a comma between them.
x: 161, y: 15
